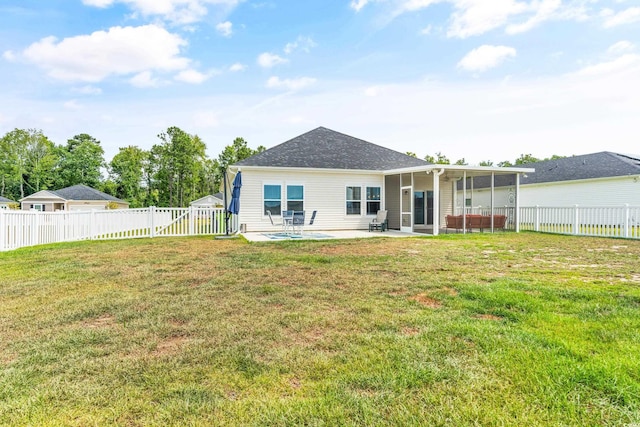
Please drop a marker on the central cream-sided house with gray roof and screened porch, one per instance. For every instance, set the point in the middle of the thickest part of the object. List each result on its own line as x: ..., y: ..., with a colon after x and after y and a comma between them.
x: 347, y: 180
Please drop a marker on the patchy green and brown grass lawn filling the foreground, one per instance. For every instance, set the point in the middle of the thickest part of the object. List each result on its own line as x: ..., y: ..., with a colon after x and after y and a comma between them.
x: 499, y: 329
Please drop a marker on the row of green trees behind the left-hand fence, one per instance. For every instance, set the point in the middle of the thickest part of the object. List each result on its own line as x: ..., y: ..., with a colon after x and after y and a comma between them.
x: 174, y: 172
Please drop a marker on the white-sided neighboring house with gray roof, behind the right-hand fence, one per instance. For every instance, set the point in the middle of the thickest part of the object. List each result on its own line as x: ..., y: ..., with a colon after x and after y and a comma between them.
x: 598, y: 179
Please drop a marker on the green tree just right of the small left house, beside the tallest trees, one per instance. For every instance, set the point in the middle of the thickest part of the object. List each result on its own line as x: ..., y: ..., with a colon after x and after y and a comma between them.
x: 126, y: 169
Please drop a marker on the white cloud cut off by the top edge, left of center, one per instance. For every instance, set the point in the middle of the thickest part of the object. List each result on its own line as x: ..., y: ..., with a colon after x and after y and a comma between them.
x: 176, y: 11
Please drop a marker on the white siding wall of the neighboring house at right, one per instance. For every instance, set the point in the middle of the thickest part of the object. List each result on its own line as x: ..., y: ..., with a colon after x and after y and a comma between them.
x: 615, y: 191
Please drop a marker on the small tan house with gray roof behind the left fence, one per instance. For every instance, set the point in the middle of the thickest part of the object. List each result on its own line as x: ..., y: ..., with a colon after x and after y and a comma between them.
x: 74, y: 198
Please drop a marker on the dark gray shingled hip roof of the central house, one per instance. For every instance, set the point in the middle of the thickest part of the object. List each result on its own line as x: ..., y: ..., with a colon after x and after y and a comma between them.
x: 324, y: 148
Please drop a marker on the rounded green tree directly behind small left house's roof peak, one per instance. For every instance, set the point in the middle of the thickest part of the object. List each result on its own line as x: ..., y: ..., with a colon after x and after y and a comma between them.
x: 81, y: 161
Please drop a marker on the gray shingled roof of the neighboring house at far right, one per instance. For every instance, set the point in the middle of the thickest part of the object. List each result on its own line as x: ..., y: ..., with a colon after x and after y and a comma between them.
x: 588, y: 166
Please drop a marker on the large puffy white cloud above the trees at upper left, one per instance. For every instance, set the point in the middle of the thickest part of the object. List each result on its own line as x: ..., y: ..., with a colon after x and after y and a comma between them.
x: 118, y: 51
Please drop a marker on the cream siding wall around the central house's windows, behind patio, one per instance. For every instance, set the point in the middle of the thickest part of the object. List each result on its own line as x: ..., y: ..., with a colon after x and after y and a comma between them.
x: 323, y: 191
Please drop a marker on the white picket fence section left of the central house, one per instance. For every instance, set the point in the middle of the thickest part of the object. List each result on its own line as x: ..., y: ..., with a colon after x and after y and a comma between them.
x: 30, y: 228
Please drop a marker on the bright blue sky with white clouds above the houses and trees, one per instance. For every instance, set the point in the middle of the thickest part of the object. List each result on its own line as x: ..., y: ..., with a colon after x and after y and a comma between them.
x: 473, y: 79
